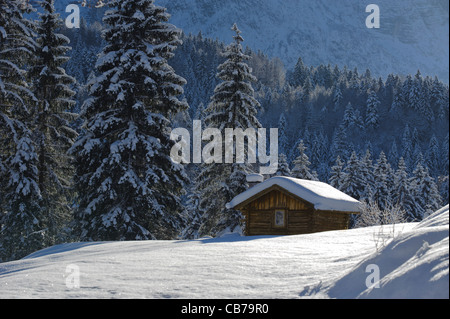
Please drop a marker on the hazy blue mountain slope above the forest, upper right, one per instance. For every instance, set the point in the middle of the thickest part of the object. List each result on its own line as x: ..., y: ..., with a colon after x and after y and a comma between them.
x: 413, y: 35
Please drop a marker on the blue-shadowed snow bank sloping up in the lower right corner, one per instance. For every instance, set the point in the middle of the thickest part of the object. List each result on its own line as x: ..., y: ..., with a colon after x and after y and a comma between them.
x: 414, y: 265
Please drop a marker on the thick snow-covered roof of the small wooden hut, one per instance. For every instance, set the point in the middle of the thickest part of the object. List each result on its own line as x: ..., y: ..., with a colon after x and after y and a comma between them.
x: 321, y: 195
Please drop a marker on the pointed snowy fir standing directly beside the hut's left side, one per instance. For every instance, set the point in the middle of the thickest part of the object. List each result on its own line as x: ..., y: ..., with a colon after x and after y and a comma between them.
x: 233, y: 105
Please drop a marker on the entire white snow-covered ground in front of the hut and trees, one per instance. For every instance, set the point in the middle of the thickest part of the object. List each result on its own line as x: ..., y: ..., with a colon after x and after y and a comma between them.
x: 415, y: 264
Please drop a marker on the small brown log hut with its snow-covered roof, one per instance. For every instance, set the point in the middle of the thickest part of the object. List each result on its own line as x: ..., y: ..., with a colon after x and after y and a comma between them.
x: 289, y: 206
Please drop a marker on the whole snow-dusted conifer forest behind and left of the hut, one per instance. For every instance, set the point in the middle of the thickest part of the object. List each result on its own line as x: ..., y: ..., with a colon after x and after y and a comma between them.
x: 86, y: 116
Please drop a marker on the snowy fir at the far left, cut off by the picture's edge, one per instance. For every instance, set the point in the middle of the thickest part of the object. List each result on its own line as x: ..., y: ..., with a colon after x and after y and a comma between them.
x: 21, y: 221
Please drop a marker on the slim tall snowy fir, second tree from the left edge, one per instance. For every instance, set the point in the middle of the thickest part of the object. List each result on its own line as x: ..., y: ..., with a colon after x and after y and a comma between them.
x: 52, y: 131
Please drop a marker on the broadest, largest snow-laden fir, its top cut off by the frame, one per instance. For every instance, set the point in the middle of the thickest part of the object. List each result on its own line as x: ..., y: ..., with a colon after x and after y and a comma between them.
x: 128, y: 185
